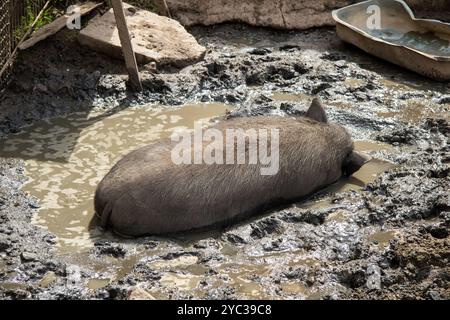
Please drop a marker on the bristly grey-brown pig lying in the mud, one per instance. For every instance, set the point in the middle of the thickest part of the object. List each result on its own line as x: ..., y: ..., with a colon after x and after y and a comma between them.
x: 146, y: 193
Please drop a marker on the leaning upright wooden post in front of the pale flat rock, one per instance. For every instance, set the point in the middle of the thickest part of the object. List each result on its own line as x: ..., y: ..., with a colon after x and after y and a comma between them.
x: 127, y: 46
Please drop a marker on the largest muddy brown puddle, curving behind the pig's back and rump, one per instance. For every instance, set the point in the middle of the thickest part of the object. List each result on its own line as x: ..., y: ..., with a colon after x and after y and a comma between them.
x: 65, y: 158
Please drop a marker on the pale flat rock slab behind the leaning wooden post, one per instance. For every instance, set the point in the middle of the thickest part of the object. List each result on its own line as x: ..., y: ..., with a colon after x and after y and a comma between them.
x: 155, y: 38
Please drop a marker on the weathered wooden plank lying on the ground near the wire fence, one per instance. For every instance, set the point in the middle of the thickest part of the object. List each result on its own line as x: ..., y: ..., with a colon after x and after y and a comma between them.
x: 55, y: 26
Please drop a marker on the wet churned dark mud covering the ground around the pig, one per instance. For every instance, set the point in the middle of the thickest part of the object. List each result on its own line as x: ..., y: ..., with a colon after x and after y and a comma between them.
x: 382, y: 234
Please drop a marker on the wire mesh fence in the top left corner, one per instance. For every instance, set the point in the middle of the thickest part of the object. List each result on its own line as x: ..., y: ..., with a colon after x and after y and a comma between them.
x: 15, y: 18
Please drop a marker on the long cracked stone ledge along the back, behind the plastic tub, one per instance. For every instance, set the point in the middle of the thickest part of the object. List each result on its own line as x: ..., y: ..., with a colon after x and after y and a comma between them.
x: 285, y: 14
